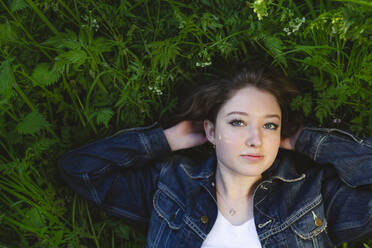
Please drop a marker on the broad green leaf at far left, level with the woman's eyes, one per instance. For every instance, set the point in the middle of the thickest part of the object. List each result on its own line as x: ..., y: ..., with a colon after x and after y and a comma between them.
x: 32, y: 123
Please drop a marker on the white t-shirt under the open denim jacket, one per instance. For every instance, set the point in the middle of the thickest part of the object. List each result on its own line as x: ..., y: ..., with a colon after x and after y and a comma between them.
x: 226, y: 235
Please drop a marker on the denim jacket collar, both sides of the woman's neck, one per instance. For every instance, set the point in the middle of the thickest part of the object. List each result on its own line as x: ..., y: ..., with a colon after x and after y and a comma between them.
x: 283, y: 168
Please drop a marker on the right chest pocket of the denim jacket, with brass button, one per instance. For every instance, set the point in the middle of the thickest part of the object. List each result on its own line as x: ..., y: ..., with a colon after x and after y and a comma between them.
x: 311, y: 222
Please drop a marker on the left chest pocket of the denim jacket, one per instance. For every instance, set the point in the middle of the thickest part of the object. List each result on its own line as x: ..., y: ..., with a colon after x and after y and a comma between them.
x: 168, y: 209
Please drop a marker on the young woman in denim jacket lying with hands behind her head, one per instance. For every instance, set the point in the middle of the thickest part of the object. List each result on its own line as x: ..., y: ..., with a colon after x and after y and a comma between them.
x: 249, y: 193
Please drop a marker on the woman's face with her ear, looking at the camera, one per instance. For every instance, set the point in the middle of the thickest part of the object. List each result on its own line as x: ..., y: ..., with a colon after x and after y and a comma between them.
x: 246, y: 132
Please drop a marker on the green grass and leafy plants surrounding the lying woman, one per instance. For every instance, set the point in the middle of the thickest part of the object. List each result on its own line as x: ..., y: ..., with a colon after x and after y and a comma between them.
x: 74, y: 71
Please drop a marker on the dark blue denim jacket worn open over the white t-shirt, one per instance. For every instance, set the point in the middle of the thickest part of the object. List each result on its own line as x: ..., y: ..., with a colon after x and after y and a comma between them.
x: 317, y: 200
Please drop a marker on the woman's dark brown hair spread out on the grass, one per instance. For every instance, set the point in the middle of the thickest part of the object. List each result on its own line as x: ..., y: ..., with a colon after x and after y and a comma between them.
x: 207, y: 100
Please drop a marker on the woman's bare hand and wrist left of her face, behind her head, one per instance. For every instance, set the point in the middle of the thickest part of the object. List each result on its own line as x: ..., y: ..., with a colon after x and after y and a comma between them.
x: 185, y: 134
